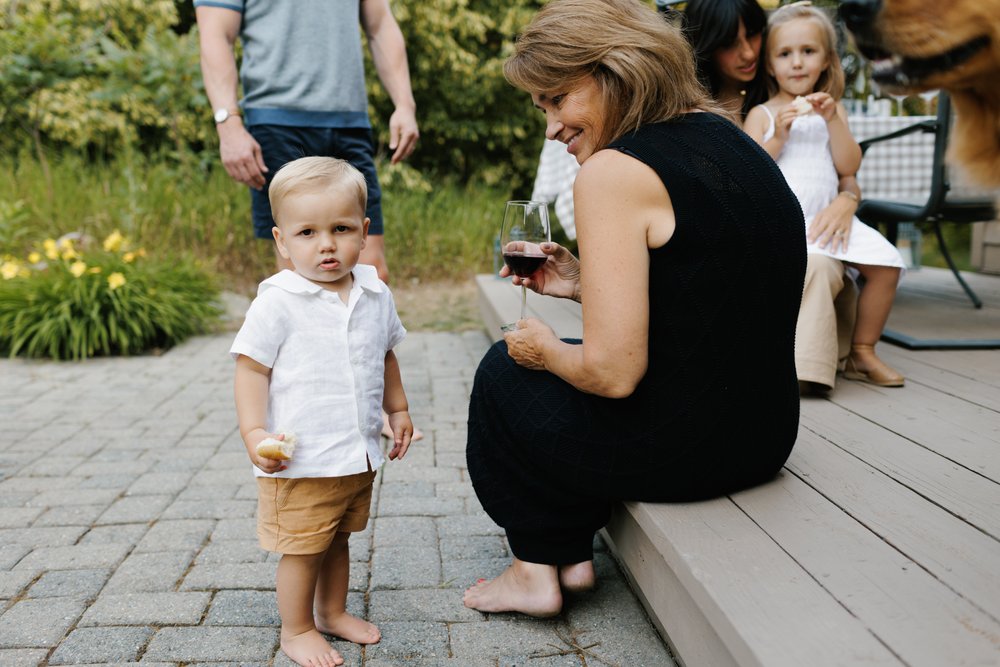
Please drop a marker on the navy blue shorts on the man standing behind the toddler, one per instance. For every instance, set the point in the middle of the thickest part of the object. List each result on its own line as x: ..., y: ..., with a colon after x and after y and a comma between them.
x: 281, y: 144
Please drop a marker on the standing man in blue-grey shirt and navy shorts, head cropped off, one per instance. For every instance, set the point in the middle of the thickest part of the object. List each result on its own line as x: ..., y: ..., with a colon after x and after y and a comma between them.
x: 303, y: 93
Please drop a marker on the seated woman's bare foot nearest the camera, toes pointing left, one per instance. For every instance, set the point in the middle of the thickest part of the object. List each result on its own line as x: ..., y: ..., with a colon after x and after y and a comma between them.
x: 529, y: 588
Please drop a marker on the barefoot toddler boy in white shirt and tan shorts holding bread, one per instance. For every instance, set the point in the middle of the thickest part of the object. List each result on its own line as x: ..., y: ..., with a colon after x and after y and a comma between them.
x: 314, y: 357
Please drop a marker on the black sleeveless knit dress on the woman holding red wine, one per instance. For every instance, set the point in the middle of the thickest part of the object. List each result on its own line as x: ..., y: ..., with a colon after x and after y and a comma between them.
x: 718, y: 408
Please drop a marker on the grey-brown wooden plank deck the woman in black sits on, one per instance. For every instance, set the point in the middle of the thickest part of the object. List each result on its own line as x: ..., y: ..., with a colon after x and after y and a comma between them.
x: 879, y: 542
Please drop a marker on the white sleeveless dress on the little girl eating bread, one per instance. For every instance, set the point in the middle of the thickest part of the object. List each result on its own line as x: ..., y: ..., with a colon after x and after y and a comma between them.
x: 808, y: 167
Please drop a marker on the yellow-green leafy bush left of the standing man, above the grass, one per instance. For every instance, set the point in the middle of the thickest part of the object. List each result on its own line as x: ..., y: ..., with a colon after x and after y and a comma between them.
x: 92, y: 75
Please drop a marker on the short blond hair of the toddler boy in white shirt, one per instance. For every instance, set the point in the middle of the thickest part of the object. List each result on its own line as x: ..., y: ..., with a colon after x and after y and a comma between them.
x: 316, y: 174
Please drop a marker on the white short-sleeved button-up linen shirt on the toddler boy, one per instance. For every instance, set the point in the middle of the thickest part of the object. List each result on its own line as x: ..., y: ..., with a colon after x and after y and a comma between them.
x: 327, y: 362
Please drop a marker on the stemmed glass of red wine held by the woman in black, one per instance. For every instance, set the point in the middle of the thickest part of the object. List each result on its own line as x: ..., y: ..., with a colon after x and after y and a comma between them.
x: 525, y: 228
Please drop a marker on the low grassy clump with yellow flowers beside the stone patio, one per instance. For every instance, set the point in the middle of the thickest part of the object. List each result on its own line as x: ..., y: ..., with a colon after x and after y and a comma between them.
x: 74, y: 299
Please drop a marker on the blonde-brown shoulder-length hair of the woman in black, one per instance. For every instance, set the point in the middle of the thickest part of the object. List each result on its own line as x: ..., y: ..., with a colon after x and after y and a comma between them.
x: 643, y: 66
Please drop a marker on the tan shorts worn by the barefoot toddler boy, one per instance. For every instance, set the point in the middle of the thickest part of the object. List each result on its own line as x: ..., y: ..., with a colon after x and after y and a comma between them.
x: 301, y: 516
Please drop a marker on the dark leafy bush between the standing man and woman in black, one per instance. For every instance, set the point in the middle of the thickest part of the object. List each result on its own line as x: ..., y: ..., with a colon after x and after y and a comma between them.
x: 472, y: 122
